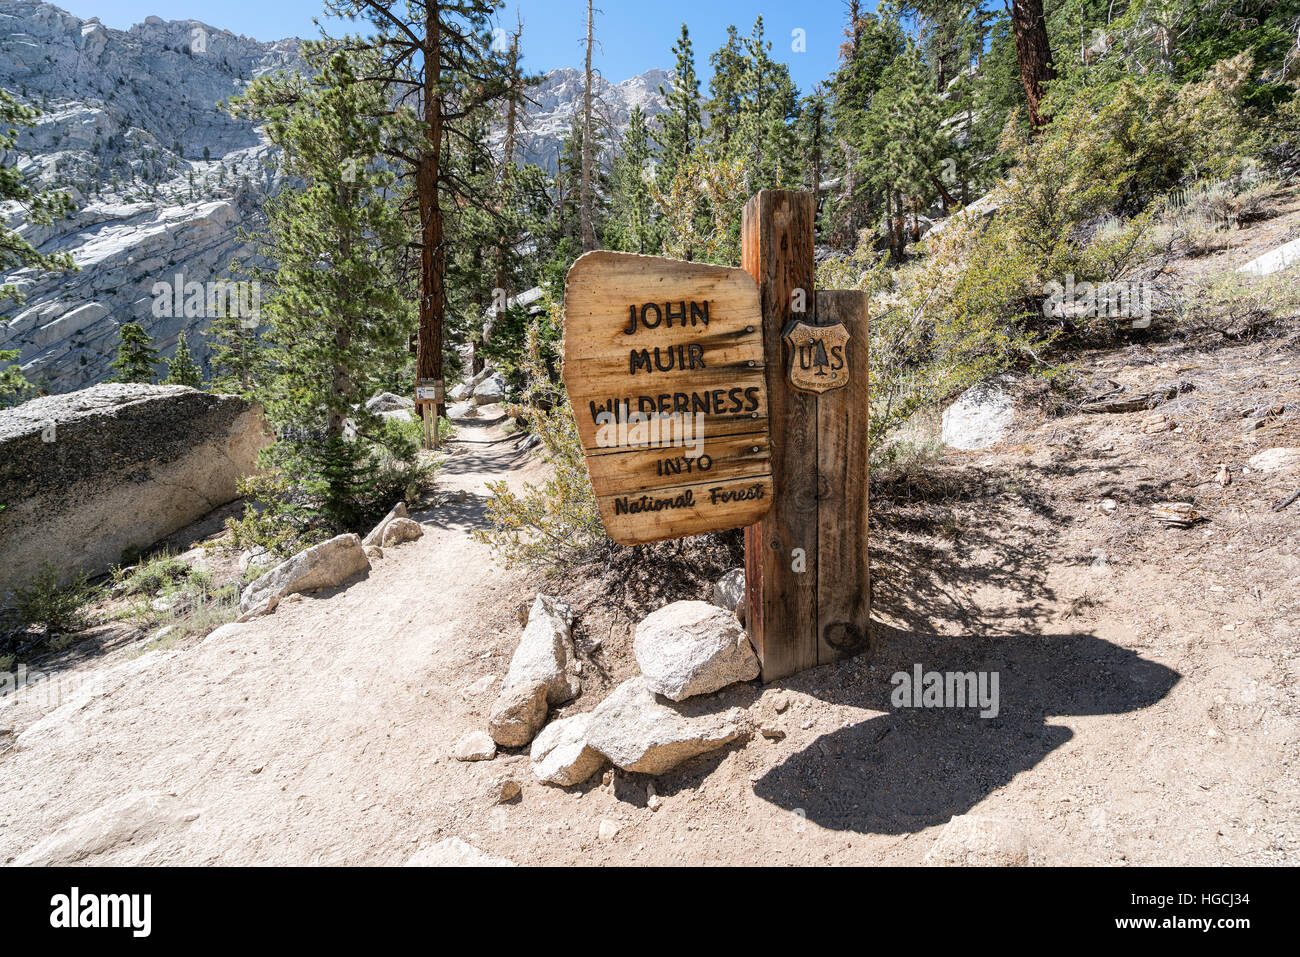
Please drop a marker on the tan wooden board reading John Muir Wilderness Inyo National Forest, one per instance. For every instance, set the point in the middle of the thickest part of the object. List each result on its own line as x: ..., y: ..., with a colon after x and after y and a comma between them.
x: 664, y: 365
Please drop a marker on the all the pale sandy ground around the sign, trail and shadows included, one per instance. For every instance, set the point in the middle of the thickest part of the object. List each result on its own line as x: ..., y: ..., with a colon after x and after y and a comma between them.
x: 1149, y: 681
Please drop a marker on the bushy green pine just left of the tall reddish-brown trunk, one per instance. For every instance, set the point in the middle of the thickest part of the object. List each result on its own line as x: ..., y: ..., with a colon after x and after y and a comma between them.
x: 337, y: 318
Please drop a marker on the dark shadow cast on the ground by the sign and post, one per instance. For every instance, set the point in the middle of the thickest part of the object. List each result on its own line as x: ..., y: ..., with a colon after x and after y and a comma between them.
x: 916, y: 768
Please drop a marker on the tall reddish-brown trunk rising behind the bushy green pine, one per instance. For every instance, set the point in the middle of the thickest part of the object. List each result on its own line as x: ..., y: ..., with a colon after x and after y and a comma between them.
x: 434, y: 257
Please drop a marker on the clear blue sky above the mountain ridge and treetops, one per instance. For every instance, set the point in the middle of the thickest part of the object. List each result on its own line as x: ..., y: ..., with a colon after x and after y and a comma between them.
x: 635, y: 36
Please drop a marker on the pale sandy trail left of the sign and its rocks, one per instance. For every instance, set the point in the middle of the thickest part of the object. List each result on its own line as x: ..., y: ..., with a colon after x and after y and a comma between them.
x: 311, y: 737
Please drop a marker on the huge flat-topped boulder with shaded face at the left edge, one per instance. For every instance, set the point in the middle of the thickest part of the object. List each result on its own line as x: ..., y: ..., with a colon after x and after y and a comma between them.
x: 96, y: 474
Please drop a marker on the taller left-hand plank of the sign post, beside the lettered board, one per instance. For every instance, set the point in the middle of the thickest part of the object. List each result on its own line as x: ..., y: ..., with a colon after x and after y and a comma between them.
x: 777, y: 250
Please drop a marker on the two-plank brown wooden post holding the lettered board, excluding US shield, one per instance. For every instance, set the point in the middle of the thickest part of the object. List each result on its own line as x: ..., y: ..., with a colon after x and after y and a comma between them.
x: 807, y: 561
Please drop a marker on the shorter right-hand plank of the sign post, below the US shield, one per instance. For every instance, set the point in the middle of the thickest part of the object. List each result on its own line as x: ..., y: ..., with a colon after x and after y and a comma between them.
x: 843, y: 566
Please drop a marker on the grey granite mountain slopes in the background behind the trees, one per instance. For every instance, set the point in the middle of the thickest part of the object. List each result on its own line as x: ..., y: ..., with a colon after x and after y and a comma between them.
x: 162, y: 179
